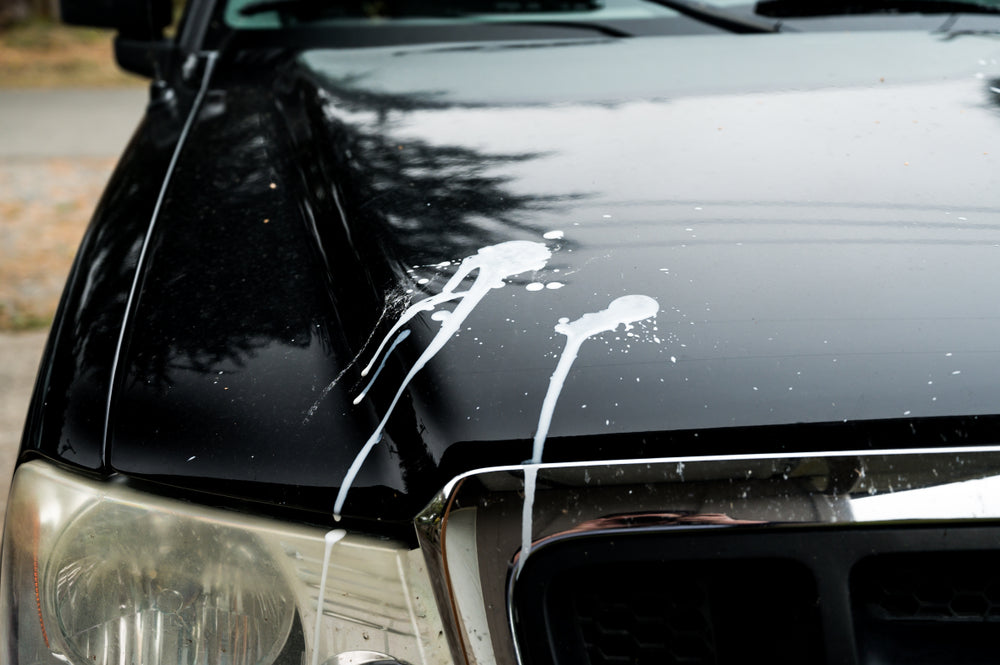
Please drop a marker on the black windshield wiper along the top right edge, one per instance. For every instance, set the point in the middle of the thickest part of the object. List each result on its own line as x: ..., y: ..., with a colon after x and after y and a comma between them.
x: 807, y: 8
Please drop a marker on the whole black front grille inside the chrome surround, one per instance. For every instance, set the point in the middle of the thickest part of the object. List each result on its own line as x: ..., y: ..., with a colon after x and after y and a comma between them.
x: 923, y: 595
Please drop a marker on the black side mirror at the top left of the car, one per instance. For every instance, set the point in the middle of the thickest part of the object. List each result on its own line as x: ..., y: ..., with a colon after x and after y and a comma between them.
x: 139, y: 46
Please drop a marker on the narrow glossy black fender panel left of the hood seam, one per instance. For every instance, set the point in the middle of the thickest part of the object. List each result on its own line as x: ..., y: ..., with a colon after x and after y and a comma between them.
x: 67, y: 416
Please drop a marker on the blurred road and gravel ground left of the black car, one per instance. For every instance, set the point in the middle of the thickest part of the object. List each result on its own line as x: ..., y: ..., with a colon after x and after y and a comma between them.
x: 57, y: 149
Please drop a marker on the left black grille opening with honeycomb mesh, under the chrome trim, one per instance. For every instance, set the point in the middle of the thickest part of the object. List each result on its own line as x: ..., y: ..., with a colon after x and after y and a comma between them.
x: 685, y: 612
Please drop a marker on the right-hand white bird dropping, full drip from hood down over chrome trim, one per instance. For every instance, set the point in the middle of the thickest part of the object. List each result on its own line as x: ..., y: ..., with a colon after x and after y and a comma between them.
x: 621, y: 311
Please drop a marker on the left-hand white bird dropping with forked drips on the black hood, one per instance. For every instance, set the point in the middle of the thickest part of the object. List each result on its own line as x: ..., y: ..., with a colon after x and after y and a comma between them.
x: 494, y: 263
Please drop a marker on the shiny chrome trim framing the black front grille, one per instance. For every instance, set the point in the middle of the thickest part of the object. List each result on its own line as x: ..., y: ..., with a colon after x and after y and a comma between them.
x: 746, y: 492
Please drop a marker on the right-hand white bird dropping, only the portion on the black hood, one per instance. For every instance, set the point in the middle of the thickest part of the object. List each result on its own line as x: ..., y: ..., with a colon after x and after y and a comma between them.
x: 625, y: 310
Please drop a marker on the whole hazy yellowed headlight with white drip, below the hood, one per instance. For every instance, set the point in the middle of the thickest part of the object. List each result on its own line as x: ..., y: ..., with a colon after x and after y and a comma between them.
x: 100, y: 574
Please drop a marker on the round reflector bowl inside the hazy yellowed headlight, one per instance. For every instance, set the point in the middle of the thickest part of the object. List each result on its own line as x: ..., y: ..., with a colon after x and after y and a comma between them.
x: 126, y: 584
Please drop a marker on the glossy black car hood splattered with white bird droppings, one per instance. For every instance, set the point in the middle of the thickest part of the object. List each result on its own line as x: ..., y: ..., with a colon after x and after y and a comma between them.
x: 566, y: 251
